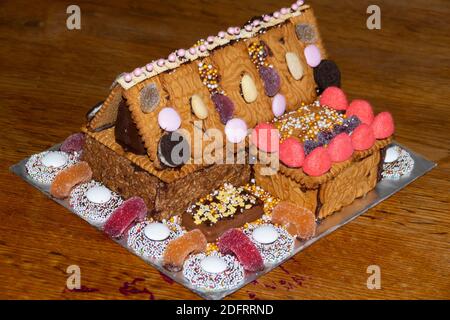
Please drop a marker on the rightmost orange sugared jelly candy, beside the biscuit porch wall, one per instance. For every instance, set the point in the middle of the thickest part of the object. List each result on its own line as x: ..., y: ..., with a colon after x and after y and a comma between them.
x: 299, y: 221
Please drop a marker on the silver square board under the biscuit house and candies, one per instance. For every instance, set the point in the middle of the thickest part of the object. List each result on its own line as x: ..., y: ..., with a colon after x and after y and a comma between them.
x: 384, y: 189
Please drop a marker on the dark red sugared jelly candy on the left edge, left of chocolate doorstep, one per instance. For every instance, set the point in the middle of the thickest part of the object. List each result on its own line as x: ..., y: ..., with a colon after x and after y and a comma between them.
x: 130, y: 211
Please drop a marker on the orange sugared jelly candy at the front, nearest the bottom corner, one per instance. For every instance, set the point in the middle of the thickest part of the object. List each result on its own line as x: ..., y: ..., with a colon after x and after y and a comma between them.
x: 179, y: 249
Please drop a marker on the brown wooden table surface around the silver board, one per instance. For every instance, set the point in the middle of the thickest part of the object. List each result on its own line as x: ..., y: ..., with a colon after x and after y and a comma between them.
x: 51, y: 76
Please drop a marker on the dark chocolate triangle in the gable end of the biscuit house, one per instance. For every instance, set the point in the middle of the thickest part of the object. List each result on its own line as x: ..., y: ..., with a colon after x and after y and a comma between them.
x: 126, y: 132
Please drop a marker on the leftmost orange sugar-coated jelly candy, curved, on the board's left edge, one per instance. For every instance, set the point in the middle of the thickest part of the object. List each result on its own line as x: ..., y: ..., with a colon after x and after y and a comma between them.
x: 69, y: 178
